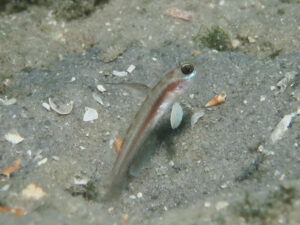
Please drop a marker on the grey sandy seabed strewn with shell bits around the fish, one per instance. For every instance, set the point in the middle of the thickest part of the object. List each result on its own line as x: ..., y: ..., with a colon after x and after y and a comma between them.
x: 239, y: 164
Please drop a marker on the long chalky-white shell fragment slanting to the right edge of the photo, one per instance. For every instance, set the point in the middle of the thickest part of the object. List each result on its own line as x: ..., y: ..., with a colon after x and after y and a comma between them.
x: 282, y: 126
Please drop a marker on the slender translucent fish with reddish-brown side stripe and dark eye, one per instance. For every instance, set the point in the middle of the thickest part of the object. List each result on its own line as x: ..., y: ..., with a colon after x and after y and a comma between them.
x: 161, y: 96
